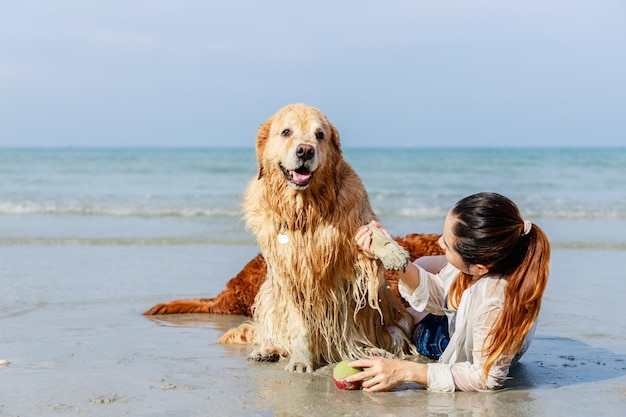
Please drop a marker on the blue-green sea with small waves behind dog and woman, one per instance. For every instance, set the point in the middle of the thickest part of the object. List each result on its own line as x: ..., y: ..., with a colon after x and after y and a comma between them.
x: 193, y: 196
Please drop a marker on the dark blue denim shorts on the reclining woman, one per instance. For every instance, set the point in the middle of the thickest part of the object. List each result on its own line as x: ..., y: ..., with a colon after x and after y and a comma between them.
x: 430, y: 336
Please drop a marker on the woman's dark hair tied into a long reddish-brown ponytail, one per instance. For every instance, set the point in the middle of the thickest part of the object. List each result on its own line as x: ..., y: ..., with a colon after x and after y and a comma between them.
x: 490, y: 231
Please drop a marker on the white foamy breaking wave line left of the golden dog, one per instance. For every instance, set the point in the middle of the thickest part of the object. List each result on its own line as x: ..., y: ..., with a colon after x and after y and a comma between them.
x: 7, y: 209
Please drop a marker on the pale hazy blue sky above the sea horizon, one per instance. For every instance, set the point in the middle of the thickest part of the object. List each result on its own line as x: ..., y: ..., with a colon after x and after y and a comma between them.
x: 398, y: 73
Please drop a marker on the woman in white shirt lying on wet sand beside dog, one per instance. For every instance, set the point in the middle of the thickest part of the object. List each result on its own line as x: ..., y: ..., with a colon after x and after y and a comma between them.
x: 487, y: 288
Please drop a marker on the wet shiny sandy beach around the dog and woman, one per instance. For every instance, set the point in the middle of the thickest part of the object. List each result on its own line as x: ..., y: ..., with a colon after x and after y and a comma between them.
x: 87, y: 350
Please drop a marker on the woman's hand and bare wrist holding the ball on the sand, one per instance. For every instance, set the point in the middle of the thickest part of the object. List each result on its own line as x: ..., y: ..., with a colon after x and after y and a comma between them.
x: 382, y: 374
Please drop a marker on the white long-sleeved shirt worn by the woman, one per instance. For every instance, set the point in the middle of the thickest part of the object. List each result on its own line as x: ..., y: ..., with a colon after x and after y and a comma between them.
x: 460, y: 367
